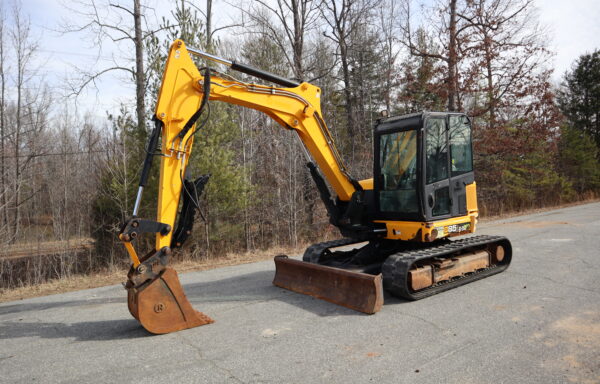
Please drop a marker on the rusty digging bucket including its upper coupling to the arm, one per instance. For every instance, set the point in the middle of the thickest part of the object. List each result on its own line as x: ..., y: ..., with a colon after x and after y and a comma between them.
x: 156, y: 299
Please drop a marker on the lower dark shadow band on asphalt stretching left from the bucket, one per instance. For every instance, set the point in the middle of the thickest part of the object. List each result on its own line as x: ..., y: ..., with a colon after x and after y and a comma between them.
x: 82, y: 331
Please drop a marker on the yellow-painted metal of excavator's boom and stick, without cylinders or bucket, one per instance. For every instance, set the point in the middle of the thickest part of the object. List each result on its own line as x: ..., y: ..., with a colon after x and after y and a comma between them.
x: 180, y: 95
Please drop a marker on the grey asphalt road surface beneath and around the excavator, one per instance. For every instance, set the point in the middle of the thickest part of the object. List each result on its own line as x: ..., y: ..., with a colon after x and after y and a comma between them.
x: 538, y: 322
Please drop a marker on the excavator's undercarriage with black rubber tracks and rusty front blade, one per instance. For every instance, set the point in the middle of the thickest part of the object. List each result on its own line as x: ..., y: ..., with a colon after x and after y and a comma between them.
x: 410, y: 271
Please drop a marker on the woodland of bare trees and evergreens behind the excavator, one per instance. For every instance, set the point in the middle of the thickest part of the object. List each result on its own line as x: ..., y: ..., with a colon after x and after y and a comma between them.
x: 68, y: 179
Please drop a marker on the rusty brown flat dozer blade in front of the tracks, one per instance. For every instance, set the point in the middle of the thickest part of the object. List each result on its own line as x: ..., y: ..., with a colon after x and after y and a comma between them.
x: 359, y: 291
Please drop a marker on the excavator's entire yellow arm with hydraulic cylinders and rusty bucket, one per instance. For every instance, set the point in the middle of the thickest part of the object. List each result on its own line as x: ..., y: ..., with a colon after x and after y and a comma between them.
x: 155, y: 295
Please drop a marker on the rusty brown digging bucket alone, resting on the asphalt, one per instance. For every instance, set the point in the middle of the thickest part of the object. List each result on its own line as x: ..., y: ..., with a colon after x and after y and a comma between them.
x: 160, y: 305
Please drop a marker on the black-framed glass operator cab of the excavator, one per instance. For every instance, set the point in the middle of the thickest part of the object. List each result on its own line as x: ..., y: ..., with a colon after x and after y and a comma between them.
x: 423, y: 163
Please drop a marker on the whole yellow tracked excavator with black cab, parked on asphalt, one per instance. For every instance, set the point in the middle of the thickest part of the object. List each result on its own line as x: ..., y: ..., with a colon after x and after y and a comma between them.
x: 397, y: 228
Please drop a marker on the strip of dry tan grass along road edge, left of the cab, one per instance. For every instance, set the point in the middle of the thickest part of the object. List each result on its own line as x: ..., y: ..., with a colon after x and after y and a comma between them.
x: 116, y: 276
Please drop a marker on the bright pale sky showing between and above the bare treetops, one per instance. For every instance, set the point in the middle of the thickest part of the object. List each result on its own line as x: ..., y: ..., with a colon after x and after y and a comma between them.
x: 573, y: 26
